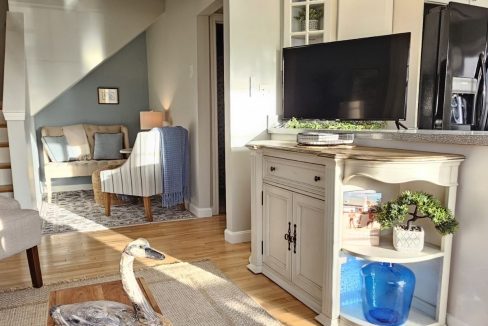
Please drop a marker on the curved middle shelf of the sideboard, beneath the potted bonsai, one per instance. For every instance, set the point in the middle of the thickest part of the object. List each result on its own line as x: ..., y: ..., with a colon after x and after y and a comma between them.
x: 385, y: 252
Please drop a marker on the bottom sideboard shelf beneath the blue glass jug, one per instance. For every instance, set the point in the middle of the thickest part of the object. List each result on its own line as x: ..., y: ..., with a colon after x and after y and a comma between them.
x: 354, y: 314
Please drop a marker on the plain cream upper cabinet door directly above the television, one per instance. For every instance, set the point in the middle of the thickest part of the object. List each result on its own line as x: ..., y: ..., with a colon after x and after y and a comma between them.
x: 359, y: 18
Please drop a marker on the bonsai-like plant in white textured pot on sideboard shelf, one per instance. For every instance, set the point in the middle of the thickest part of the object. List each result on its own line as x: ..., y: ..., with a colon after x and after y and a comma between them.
x: 417, y: 205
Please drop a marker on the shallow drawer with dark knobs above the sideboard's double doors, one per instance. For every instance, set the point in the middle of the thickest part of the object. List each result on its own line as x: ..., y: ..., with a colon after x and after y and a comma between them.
x: 294, y: 174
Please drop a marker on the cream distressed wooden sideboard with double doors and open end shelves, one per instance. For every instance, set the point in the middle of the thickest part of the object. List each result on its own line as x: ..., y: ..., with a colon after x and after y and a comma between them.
x: 297, y: 195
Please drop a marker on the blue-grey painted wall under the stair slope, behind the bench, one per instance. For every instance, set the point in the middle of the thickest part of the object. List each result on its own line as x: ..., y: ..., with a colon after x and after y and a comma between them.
x: 127, y: 70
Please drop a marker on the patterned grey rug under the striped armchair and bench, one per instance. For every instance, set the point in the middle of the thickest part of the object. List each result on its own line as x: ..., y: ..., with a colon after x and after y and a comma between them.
x: 77, y: 211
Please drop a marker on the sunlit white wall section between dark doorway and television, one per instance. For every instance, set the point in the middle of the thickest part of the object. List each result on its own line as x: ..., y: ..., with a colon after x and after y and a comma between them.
x: 253, y: 51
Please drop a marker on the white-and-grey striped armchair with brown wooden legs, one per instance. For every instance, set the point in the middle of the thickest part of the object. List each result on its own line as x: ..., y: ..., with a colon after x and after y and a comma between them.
x: 139, y: 176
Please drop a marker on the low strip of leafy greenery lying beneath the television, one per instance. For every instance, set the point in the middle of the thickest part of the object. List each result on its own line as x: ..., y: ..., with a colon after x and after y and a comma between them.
x: 334, y: 125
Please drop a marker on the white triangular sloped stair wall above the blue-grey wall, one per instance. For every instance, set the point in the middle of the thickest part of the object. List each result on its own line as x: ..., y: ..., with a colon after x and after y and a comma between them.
x: 66, y: 39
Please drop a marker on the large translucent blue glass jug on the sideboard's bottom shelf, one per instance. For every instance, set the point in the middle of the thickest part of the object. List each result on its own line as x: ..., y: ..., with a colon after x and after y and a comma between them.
x: 387, y: 293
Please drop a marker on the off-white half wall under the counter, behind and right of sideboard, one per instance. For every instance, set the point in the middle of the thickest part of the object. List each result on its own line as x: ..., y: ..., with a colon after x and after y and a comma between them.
x: 468, y: 294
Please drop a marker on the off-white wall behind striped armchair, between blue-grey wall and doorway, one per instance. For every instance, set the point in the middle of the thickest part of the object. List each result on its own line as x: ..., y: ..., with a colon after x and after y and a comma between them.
x: 173, y: 85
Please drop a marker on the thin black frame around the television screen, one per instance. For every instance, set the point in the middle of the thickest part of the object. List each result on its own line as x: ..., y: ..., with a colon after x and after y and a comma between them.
x: 407, y: 78
